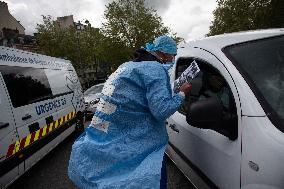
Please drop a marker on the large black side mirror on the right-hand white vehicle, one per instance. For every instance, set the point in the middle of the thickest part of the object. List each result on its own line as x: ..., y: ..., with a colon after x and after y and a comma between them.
x: 205, y: 114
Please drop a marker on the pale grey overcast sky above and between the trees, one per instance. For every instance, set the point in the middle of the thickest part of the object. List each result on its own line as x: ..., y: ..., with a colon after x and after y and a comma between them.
x: 190, y: 19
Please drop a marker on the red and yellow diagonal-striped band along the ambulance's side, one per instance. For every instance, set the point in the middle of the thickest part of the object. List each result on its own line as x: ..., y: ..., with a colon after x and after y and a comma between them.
x: 26, y: 141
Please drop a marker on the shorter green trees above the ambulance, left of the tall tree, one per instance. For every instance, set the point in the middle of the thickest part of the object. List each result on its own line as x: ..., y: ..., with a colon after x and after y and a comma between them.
x: 77, y: 46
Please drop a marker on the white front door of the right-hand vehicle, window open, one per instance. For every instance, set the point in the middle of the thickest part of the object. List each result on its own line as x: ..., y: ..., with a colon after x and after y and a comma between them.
x: 215, y: 154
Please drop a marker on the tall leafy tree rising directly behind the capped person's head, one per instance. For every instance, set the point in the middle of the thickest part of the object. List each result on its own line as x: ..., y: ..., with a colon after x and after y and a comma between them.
x: 129, y: 25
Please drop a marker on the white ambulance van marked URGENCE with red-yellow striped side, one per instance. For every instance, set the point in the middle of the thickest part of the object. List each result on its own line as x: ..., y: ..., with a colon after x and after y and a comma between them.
x: 41, y: 103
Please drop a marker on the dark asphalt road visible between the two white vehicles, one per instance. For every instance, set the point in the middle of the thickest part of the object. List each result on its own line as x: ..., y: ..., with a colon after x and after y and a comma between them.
x: 51, y: 172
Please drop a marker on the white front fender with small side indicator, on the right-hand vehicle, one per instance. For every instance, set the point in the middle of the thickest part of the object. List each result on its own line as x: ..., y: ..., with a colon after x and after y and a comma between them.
x: 262, y: 154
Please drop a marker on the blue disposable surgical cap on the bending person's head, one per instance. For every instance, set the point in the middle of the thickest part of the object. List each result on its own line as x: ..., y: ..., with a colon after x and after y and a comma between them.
x: 164, y: 44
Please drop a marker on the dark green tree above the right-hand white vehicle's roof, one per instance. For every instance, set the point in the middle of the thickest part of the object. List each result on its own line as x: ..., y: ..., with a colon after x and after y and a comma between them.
x: 241, y: 15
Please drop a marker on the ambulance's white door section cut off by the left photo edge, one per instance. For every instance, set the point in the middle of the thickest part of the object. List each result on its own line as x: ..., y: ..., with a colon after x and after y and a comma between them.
x: 8, y: 136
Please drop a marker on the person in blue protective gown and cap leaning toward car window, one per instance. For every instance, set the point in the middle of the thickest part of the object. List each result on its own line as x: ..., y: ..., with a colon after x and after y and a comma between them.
x: 124, y: 145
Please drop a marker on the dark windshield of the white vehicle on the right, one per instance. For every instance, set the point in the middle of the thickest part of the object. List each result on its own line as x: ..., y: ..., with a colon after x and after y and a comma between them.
x: 262, y: 64
